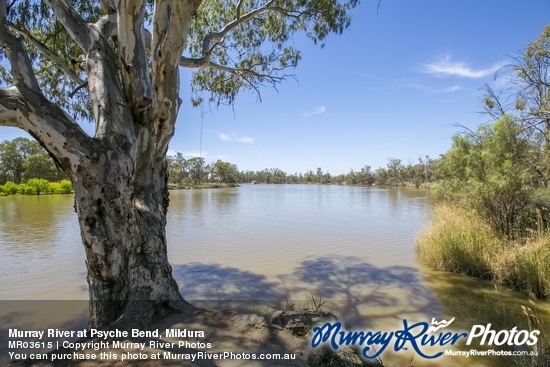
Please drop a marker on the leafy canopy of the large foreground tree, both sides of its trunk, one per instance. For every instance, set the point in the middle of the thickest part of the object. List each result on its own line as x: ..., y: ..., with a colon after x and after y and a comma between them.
x: 251, y: 55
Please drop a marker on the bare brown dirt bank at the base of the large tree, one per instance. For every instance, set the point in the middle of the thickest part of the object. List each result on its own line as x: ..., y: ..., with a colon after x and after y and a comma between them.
x: 208, y: 338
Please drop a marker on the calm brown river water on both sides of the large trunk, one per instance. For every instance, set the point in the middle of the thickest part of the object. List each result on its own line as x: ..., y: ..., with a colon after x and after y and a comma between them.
x: 285, y: 246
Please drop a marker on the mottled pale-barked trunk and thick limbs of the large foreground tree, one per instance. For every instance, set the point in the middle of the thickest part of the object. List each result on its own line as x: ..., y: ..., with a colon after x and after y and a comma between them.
x: 119, y: 176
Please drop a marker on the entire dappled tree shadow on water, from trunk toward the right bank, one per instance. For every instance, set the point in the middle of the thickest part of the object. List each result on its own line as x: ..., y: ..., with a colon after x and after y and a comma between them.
x: 357, y: 291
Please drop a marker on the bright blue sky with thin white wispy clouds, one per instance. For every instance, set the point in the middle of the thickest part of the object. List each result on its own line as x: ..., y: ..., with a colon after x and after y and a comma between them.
x: 394, y: 85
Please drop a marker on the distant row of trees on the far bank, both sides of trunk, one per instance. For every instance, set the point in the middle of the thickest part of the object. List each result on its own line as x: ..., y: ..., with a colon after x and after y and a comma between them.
x: 22, y: 160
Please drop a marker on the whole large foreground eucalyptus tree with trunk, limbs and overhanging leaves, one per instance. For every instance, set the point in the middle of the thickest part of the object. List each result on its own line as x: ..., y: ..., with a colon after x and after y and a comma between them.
x: 116, y: 63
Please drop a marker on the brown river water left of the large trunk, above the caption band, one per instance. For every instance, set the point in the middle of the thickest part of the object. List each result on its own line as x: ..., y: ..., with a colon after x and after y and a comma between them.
x: 41, y: 254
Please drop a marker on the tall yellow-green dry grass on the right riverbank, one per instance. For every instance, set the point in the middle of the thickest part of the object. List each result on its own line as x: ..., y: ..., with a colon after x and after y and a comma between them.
x: 461, y: 242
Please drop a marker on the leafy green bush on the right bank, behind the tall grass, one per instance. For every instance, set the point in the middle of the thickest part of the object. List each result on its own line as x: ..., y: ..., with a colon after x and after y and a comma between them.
x: 492, y: 171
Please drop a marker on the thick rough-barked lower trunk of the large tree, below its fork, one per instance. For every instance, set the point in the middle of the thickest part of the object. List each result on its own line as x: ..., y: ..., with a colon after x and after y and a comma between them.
x: 123, y: 231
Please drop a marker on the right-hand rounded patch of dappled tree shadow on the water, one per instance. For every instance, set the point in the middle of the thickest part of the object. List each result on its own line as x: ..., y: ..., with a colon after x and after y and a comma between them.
x: 362, y: 291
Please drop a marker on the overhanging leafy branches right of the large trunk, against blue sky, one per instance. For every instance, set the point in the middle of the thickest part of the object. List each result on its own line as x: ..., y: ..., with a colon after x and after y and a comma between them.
x: 258, y: 50
